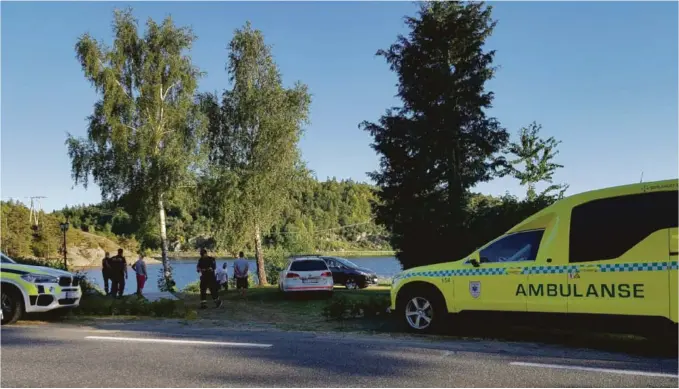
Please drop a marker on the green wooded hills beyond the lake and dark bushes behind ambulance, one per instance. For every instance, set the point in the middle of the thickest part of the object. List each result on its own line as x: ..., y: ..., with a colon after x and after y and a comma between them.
x: 326, y: 216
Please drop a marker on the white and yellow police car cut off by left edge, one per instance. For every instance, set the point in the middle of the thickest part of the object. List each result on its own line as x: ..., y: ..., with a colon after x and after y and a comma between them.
x: 26, y: 288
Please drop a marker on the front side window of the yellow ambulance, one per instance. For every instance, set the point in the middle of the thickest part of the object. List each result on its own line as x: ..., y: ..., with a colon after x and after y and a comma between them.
x: 518, y: 247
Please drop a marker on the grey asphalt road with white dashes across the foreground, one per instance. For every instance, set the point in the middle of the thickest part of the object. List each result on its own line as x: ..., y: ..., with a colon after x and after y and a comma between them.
x: 148, y: 354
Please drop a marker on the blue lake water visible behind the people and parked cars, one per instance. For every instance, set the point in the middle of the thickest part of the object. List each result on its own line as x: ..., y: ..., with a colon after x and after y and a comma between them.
x: 184, y: 271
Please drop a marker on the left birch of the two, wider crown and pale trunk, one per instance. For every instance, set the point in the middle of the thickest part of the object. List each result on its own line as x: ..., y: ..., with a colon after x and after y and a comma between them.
x: 142, y: 136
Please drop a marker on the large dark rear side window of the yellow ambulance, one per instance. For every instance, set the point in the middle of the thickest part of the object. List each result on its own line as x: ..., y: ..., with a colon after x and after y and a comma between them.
x: 605, y: 229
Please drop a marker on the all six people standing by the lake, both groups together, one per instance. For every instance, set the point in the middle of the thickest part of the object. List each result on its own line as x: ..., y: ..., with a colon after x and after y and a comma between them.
x: 212, y: 278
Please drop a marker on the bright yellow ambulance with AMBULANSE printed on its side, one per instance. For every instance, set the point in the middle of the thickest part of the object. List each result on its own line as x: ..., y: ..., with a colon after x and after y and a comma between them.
x: 609, y: 252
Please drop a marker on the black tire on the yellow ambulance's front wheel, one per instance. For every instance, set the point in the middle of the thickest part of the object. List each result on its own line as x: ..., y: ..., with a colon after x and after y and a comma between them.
x: 422, y: 293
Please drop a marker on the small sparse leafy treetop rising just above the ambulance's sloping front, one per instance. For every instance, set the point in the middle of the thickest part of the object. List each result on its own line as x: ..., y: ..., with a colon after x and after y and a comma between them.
x: 536, y: 155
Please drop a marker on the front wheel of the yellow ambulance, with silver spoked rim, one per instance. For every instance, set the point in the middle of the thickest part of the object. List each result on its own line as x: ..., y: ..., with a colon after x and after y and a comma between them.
x: 425, y: 302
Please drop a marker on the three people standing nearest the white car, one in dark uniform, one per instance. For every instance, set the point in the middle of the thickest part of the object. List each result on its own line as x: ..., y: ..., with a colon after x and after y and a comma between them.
x: 213, y: 278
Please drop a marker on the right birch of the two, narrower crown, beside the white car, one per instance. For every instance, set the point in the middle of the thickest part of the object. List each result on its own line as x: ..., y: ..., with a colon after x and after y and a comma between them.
x: 254, y: 136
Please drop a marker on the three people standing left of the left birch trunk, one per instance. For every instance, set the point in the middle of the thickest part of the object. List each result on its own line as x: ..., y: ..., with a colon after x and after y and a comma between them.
x: 114, y: 269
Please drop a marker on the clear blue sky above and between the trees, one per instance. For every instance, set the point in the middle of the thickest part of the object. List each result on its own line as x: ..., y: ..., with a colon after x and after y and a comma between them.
x: 601, y: 77
